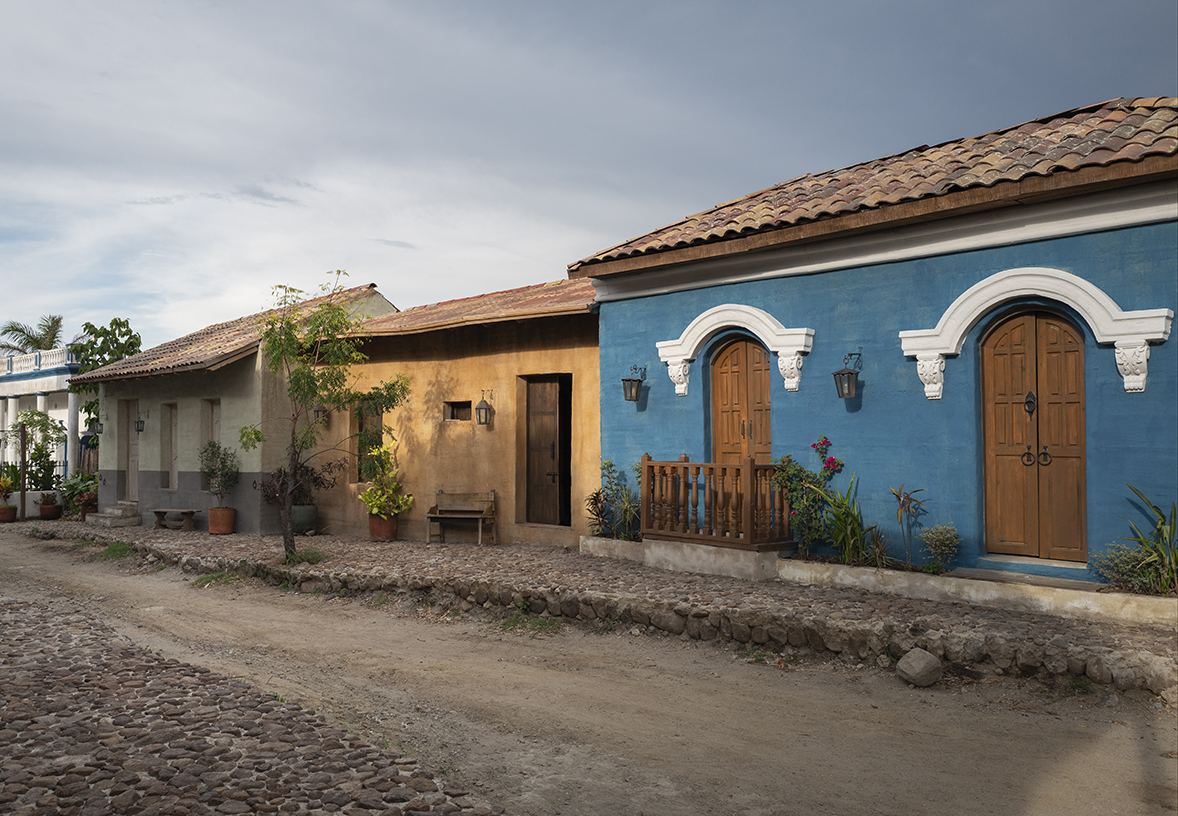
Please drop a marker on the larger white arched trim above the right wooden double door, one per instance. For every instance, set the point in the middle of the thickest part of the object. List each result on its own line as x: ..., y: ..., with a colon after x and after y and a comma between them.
x: 1130, y: 333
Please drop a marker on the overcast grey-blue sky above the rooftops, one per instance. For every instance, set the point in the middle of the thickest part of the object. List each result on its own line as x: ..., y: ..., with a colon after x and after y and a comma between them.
x: 171, y: 162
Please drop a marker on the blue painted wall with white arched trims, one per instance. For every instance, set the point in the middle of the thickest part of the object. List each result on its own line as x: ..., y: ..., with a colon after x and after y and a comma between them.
x: 892, y: 435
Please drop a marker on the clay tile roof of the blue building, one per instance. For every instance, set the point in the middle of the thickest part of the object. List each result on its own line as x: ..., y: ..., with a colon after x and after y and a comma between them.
x: 1098, y: 136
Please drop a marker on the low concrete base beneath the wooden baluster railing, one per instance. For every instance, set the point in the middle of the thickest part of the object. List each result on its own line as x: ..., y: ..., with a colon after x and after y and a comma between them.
x: 685, y: 558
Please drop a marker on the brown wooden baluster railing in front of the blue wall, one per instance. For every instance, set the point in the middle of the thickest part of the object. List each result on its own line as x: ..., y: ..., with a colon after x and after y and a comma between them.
x: 712, y: 503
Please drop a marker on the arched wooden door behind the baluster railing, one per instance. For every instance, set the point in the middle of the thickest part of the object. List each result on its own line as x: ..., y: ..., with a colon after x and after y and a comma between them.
x: 740, y: 403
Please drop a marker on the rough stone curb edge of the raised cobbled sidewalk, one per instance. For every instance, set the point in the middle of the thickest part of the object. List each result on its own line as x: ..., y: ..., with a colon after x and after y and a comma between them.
x: 1126, y: 668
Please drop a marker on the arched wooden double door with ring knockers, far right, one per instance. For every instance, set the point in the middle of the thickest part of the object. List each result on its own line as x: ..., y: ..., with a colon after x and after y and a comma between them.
x: 1034, y: 429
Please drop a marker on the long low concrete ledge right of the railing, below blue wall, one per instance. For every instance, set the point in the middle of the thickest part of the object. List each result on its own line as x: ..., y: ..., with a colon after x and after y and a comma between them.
x: 1114, y: 607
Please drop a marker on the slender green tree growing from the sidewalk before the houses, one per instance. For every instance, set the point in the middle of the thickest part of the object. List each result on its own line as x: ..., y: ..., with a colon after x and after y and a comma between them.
x: 313, y: 347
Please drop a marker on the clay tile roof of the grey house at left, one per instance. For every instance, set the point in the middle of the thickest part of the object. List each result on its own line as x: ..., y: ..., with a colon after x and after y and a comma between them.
x: 209, y: 349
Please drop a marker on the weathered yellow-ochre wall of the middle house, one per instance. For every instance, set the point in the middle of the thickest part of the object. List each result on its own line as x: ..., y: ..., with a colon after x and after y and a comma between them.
x: 458, y: 366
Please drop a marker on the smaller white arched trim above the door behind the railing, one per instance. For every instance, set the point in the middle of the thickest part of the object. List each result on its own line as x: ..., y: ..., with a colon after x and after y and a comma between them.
x: 790, y: 344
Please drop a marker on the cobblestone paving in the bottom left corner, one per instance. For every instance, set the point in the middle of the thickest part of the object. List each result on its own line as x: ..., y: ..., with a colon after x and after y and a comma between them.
x: 92, y: 725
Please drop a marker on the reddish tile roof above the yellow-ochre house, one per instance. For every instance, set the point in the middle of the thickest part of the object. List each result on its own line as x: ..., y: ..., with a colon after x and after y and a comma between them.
x: 559, y: 297
